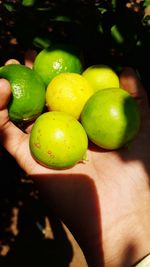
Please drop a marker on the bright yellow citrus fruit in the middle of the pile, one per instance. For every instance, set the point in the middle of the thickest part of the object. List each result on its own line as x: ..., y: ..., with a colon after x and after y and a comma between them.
x: 68, y: 92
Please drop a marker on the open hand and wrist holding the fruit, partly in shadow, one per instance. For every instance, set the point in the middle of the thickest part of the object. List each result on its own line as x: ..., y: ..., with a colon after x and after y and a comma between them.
x: 105, y: 202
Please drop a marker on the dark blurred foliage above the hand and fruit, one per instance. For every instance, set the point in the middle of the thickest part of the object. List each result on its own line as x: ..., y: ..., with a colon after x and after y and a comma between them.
x: 114, y: 32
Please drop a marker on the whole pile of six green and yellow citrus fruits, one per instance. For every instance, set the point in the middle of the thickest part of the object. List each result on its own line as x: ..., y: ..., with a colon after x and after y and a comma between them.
x: 70, y: 104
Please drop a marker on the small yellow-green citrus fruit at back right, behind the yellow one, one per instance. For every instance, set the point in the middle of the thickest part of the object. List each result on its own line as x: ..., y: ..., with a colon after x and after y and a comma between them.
x: 101, y: 77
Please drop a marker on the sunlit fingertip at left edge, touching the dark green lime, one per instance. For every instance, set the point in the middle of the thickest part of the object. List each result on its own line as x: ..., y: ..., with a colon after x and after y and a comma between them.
x: 5, y: 93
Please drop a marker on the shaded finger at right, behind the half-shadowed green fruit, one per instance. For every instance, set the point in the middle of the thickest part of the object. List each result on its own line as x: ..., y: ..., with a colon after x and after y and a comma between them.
x: 130, y: 81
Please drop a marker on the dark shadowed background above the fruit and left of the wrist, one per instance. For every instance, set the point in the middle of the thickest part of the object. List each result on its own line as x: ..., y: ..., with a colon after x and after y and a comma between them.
x: 114, y: 32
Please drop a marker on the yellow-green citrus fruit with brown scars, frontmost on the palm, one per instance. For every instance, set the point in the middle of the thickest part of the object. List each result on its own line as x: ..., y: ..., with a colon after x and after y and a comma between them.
x: 58, y: 140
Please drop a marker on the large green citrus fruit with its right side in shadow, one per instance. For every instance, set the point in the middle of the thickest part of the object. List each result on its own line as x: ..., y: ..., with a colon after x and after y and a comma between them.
x: 111, y: 118
